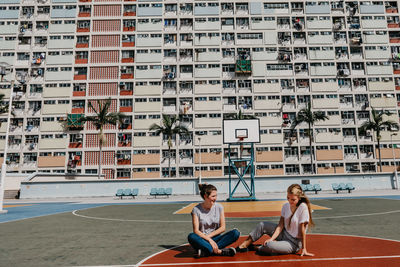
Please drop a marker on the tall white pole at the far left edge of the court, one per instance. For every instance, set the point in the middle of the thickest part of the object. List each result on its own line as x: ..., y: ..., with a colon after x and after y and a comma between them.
x: 3, y: 165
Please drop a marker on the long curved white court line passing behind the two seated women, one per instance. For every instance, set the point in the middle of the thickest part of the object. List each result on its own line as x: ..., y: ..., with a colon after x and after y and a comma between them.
x: 229, y: 221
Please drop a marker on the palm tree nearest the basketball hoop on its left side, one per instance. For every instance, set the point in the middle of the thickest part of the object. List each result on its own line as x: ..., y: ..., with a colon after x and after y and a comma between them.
x: 170, y: 127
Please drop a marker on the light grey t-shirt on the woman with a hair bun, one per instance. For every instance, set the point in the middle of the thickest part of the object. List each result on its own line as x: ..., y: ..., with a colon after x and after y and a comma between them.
x: 209, y: 220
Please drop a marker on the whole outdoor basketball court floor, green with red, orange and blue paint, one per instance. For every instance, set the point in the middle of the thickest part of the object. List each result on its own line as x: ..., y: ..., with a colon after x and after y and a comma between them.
x: 348, y: 232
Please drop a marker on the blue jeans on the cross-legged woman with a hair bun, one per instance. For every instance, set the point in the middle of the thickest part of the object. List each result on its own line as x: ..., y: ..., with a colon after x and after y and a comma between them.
x: 222, y: 241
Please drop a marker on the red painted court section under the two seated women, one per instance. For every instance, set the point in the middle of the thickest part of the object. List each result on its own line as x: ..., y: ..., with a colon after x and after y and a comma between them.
x: 329, y: 250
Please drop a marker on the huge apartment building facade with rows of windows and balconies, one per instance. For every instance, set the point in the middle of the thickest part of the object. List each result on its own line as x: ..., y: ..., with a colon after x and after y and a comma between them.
x: 202, y: 61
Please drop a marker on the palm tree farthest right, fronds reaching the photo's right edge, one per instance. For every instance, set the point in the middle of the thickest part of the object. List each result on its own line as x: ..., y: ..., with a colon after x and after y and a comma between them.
x: 376, y: 124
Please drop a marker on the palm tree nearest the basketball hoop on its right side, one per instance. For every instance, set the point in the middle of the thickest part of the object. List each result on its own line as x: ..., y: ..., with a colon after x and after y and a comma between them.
x: 310, y: 117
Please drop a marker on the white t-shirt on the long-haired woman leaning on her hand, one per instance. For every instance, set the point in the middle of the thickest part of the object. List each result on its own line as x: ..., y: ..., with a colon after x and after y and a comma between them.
x: 300, y: 216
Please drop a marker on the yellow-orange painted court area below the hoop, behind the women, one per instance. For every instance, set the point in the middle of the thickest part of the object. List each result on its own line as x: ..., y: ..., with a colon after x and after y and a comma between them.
x: 249, y: 209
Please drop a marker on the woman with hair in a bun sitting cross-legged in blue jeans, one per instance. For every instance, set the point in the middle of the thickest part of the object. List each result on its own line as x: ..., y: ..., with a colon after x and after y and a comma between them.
x: 208, y: 221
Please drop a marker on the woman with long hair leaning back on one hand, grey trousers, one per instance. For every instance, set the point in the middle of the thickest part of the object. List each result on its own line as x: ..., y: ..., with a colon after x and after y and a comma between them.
x: 289, y: 236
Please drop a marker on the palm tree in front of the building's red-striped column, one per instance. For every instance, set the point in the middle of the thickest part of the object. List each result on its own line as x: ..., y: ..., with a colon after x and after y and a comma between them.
x: 100, y: 119
